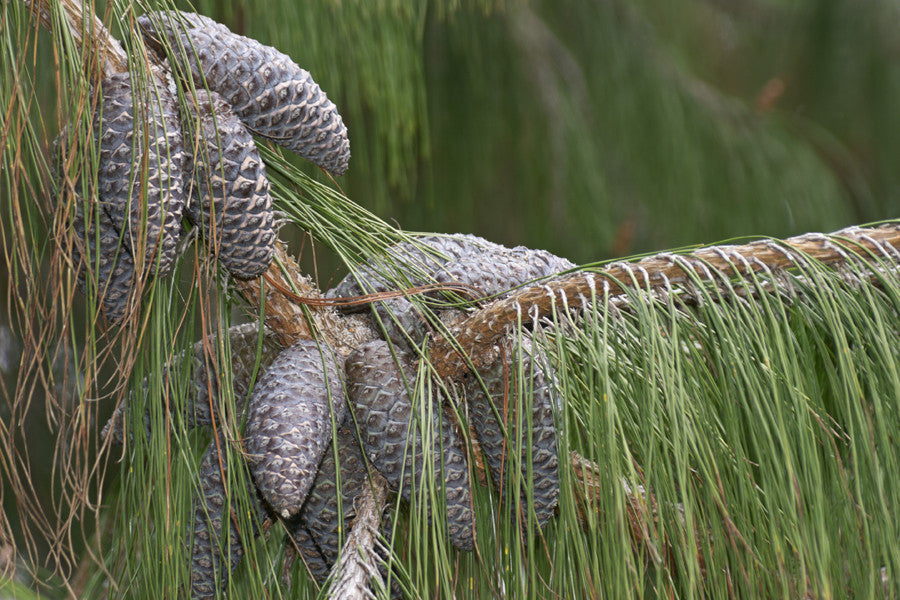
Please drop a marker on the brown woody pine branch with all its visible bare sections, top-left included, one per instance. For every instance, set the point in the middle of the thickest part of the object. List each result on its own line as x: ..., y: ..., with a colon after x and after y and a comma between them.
x: 475, y: 336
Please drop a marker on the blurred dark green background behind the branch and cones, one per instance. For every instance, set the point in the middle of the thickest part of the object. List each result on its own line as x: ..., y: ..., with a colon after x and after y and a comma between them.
x: 594, y: 129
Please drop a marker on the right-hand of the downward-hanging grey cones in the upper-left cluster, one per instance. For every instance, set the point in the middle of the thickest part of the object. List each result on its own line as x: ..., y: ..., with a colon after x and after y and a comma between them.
x: 230, y: 199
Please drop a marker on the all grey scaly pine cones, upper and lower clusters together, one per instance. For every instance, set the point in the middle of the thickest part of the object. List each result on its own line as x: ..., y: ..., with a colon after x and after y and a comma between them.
x: 199, y: 161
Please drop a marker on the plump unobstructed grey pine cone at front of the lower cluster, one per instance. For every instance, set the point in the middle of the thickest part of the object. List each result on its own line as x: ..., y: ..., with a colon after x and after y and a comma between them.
x: 289, y: 422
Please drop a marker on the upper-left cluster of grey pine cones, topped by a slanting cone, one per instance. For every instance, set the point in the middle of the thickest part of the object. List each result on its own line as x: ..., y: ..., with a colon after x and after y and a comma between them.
x: 199, y: 162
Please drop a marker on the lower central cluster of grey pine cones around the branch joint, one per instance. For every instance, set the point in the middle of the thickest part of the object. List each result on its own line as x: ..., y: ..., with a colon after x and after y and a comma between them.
x: 365, y: 395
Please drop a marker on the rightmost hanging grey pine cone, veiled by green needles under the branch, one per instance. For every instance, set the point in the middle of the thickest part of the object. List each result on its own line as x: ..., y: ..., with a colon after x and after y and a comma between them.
x: 497, y: 412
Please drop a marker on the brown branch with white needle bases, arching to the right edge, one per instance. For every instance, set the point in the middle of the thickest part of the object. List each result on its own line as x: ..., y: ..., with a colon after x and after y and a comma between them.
x: 474, y: 336
